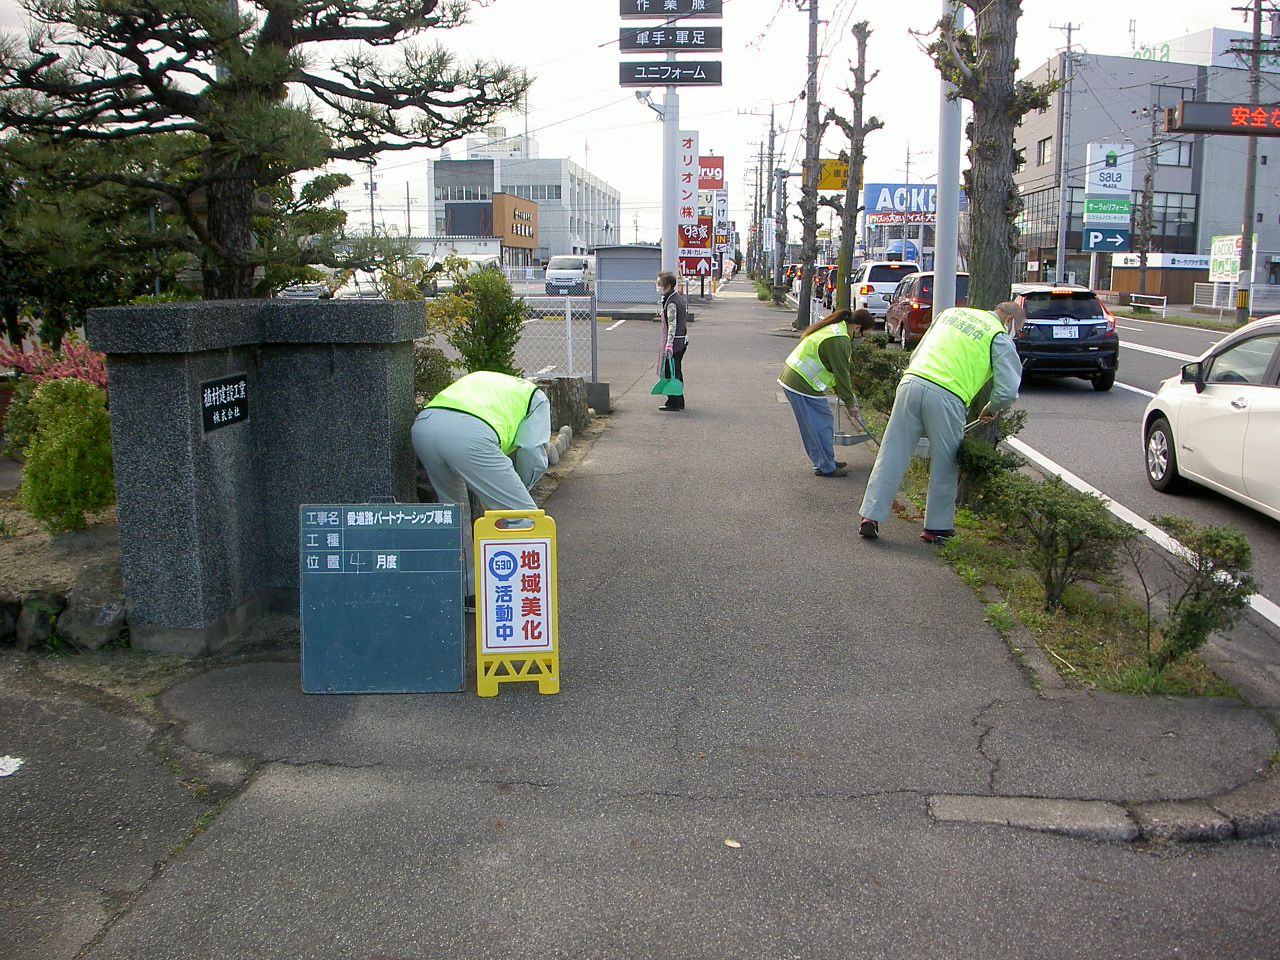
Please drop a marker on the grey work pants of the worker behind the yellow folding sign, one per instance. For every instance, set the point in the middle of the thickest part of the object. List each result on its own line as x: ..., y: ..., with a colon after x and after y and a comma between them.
x: 461, y: 451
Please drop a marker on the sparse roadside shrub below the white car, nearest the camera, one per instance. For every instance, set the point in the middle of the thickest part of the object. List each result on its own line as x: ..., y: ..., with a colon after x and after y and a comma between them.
x: 1210, y: 592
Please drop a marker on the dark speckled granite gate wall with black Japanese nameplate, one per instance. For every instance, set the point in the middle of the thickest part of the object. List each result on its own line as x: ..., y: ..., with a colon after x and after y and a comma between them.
x: 226, y: 415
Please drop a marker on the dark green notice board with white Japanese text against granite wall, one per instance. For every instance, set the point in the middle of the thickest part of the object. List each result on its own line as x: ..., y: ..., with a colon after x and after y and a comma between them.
x: 382, y: 597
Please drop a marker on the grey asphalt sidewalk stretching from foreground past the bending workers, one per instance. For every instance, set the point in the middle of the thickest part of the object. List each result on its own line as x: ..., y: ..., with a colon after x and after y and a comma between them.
x: 774, y: 739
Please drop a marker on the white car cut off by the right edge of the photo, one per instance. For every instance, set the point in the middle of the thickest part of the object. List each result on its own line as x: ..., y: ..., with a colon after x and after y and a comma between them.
x: 1219, y: 423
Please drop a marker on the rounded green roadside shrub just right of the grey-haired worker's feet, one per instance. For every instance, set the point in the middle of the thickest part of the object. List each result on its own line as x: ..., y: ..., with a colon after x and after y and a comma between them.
x: 1069, y: 534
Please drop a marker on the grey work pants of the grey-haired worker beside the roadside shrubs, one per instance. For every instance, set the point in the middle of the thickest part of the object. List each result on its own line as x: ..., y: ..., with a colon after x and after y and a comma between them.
x: 921, y: 409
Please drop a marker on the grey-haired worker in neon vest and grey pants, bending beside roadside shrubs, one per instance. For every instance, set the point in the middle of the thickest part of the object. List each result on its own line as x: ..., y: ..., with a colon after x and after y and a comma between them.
x: 962, y: 350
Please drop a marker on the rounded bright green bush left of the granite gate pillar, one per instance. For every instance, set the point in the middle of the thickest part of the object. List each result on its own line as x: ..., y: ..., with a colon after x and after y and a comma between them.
x: 68, y: 469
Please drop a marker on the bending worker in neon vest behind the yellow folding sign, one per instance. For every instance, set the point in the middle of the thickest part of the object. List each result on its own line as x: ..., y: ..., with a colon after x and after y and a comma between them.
x: 465, y: 437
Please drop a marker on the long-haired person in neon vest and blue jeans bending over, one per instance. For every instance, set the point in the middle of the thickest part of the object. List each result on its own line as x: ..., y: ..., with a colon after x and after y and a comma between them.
x: 821, y: 363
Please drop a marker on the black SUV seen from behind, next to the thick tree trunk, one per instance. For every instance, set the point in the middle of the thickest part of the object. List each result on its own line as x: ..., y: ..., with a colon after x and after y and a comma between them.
x: 1068, y: 333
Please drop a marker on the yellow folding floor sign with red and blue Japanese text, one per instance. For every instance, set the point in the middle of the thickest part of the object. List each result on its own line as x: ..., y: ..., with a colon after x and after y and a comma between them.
x: 516, y: 616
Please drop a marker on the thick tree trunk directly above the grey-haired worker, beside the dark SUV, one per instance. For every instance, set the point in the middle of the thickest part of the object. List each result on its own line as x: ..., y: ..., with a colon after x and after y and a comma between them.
x: 994, y: 202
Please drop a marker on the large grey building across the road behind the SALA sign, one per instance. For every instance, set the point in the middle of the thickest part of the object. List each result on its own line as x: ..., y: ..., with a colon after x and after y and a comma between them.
x: 1197, y: 181
